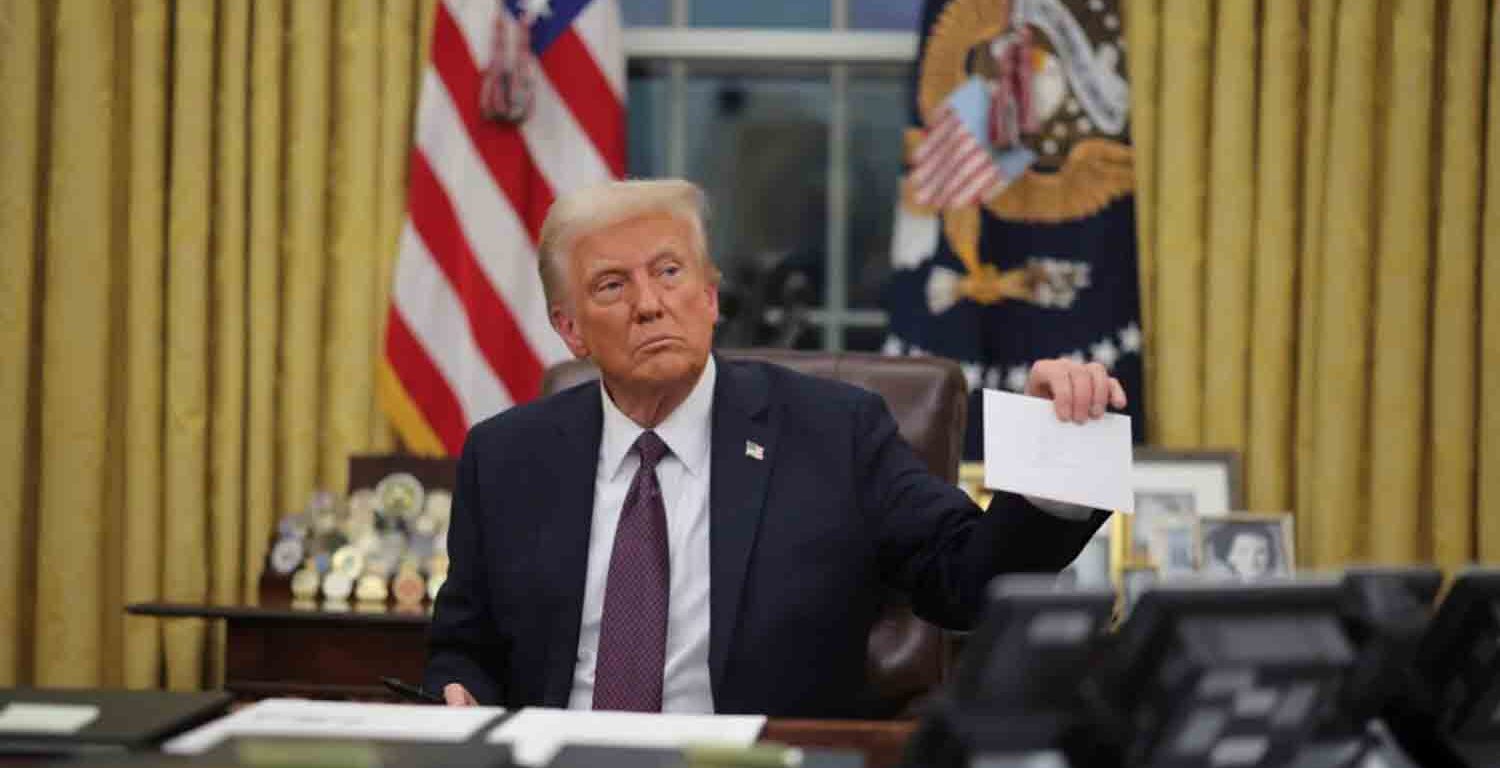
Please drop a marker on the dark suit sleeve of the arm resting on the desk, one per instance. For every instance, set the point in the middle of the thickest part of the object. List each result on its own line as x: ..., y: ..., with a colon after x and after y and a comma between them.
x: 463, y: 644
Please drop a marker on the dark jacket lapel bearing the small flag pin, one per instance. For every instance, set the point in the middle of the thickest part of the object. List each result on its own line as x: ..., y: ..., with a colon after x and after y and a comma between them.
x: 743, y: 451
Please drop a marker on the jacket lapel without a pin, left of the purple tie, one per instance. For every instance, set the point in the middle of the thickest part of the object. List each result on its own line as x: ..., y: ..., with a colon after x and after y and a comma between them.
x: 565, y: 538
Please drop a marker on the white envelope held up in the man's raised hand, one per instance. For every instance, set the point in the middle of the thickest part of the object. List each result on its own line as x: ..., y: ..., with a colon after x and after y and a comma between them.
x: 1028, y: 451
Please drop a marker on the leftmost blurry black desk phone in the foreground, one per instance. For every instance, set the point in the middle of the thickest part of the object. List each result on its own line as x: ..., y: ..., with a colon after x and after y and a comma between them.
x: 1015, y: 694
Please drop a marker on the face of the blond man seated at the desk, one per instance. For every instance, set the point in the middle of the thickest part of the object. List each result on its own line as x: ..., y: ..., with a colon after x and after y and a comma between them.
x: 640, y: 302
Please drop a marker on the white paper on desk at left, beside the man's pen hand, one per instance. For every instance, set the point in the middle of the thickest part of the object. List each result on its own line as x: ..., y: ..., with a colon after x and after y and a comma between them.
x: 298, y: 718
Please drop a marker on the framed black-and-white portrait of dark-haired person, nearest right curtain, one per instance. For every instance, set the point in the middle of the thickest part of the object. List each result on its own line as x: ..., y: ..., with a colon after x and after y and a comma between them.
x: 1247, y: 547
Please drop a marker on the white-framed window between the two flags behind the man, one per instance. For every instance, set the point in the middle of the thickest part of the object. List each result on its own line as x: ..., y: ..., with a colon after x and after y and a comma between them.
x: 790, y: 113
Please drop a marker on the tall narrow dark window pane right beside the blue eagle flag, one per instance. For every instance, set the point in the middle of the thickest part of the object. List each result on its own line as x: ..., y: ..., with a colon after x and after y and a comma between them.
x: 878, y: 110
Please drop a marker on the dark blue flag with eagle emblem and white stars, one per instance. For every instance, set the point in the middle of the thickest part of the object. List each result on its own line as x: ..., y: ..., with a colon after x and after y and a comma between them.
x: 1015, y: 236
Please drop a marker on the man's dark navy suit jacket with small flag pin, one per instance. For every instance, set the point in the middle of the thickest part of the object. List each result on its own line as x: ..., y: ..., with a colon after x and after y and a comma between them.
x: 803, y: 545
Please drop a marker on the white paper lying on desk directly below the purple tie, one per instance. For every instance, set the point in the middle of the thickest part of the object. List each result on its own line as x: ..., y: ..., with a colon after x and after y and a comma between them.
x: 536, y: 734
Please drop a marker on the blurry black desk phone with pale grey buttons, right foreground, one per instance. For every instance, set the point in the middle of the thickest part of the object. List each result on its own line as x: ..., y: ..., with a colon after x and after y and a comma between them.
x: 1222, y: 676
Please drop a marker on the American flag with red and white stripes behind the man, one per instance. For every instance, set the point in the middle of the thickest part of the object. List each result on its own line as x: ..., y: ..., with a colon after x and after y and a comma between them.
x: 467, y: 334
